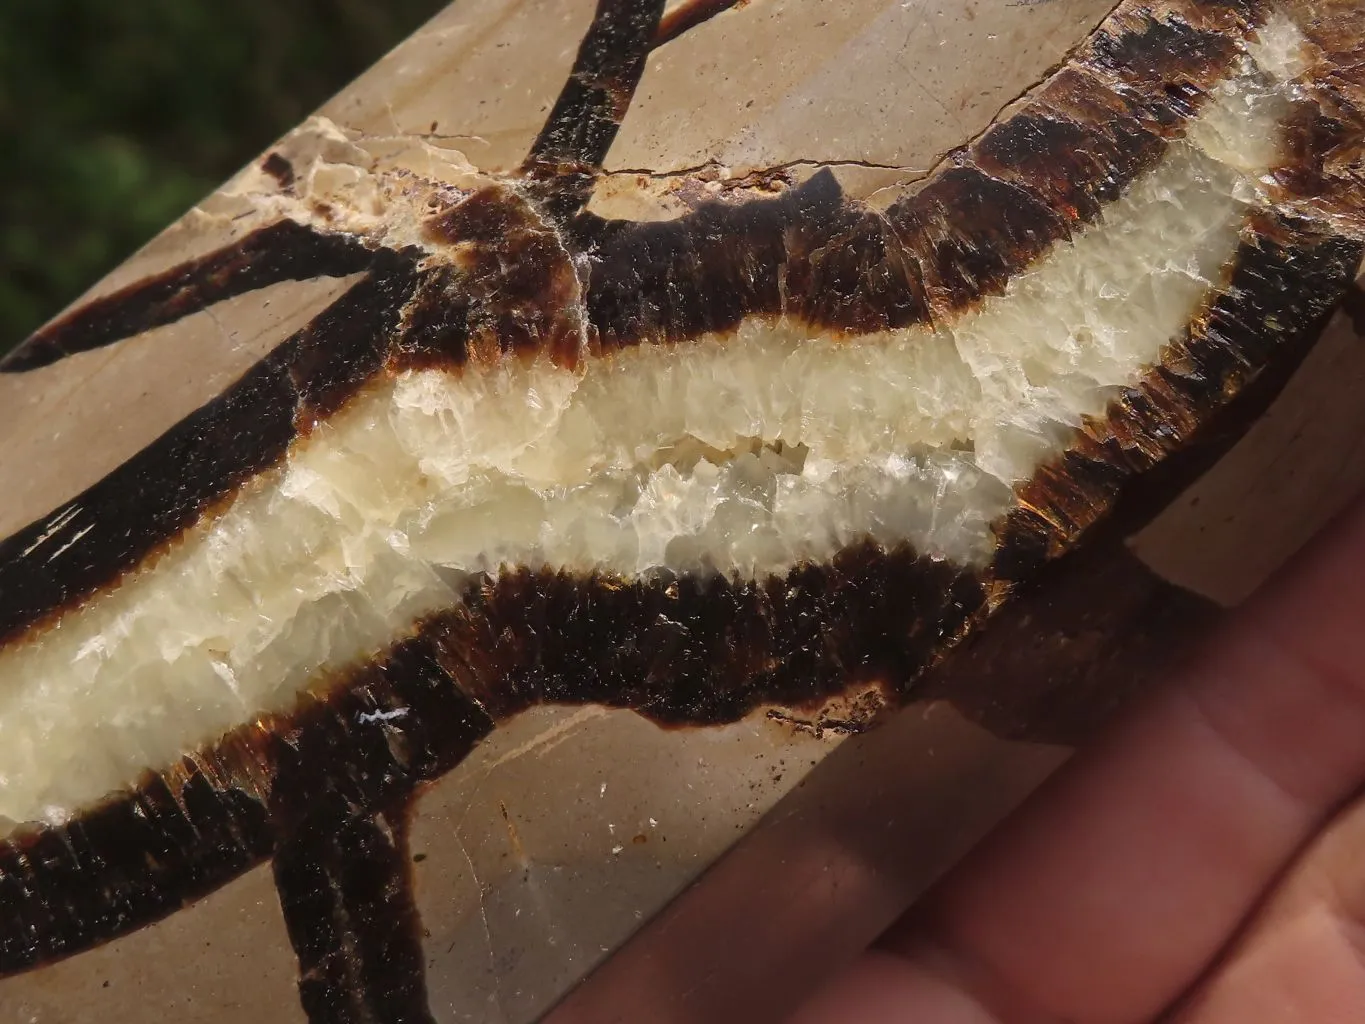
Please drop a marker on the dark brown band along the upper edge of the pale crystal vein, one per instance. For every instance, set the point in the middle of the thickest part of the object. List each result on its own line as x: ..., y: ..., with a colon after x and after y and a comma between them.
x: 810, y: 256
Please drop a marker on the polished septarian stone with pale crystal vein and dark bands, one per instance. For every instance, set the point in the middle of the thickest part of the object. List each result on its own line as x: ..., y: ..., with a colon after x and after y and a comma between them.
x: 529, y: 498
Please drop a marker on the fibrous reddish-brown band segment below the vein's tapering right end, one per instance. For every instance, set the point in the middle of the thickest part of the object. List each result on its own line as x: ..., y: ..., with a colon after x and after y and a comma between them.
x: 1284, y: 283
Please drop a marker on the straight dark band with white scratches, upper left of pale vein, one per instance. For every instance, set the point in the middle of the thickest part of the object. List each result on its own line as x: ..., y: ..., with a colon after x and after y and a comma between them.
x: 133, y: 513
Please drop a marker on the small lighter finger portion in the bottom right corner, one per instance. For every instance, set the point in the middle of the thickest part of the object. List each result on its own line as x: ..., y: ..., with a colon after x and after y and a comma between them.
x: 1303, y: 958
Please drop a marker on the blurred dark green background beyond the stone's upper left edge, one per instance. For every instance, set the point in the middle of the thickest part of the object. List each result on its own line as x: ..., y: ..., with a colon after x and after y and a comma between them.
x: 118, y: 115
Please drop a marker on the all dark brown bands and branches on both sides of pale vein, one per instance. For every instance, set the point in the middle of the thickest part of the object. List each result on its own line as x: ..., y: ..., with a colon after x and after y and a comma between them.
x: 326, y: 788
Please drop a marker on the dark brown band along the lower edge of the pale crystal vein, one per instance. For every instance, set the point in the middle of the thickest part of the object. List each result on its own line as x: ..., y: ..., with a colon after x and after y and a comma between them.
x: 683, y: 651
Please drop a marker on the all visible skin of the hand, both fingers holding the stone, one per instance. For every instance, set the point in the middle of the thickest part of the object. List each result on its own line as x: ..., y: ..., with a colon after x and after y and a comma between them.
x: 1203, y: 864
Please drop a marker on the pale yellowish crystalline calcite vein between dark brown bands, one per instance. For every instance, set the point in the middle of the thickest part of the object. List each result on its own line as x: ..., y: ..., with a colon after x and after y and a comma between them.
x: 743, y: 455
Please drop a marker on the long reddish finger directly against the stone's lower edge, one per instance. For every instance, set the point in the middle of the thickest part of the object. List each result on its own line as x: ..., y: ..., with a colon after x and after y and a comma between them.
x: 1106, y: 898
